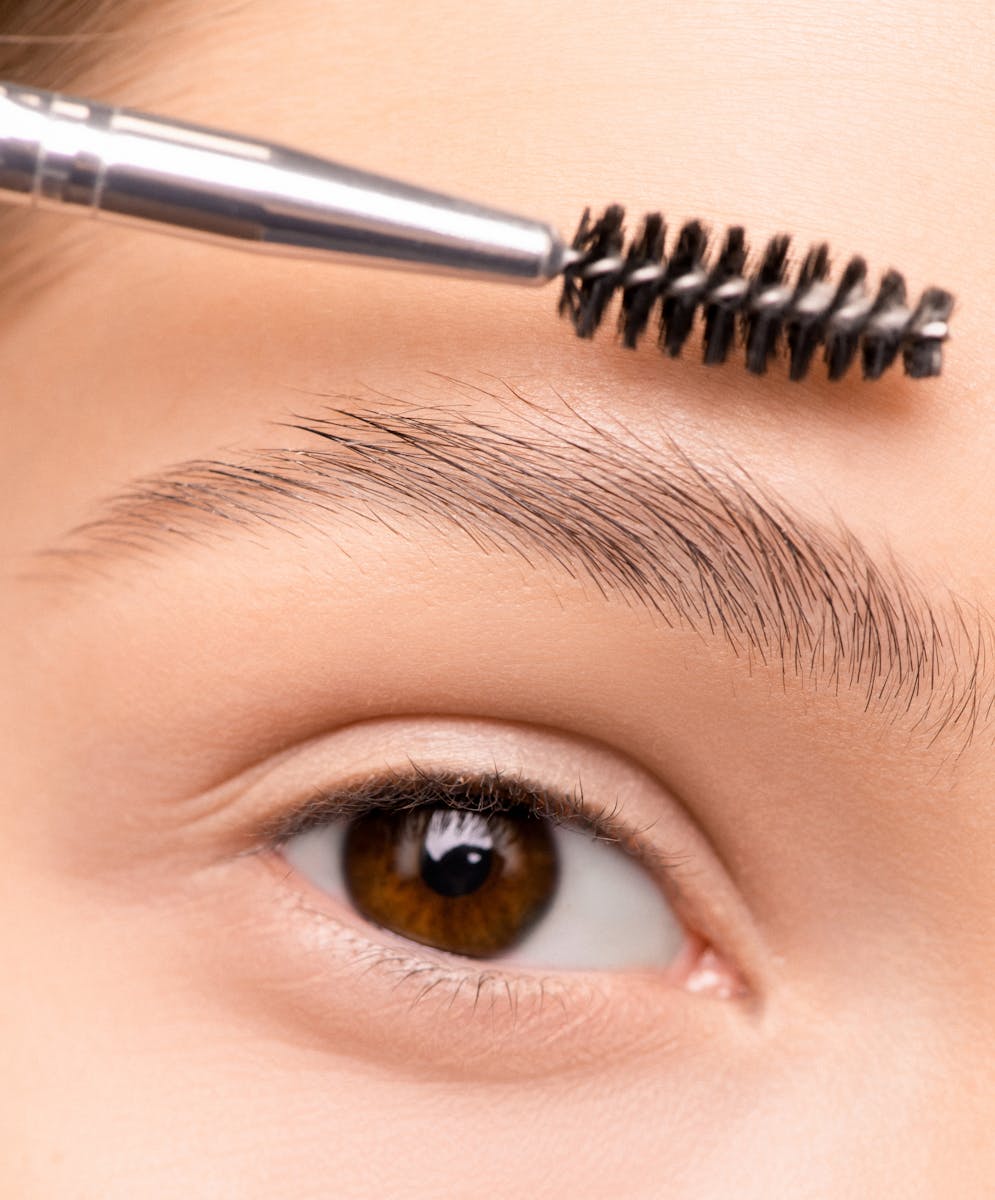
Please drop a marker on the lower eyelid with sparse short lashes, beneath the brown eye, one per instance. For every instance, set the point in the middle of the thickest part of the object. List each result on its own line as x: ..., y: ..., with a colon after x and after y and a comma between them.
x: 433, y: 1015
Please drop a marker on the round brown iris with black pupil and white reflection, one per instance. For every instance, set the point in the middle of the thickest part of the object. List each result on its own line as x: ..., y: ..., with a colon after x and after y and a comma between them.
x: 463, y: 881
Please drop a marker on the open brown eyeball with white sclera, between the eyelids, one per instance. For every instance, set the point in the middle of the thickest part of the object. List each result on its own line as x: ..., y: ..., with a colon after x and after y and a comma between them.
x: 489, y: 869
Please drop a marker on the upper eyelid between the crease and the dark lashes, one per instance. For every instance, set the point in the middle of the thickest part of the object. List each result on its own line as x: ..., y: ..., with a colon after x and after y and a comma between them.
x: 248, y: 815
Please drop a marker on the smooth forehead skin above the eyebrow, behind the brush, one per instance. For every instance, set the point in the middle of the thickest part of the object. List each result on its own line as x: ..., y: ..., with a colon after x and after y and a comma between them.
x: 794, y: 117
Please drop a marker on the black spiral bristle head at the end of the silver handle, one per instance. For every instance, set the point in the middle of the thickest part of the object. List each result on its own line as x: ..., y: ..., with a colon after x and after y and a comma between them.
x: 811, y: 313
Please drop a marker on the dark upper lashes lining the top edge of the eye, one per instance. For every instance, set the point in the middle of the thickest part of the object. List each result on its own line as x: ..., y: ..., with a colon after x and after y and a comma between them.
x: 493, y: 791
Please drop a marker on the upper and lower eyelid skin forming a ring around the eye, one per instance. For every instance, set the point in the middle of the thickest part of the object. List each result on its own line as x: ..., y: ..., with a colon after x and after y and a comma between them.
x: 313, y: 961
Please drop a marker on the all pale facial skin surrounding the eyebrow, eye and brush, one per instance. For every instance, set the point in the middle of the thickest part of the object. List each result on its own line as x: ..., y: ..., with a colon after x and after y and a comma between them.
x: 175, y: 1021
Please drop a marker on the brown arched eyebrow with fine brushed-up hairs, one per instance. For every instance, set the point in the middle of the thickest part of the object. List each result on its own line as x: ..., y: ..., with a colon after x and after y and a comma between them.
x: 706, y: 549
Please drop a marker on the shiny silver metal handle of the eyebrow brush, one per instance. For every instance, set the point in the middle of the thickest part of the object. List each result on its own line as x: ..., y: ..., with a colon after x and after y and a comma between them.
x: 69, y: 154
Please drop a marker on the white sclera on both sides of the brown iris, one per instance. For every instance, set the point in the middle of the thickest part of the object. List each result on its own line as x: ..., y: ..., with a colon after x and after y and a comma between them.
x: 607, y: 913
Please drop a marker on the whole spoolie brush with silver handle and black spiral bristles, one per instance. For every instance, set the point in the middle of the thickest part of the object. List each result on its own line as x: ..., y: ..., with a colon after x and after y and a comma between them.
x: 81, y: 157
